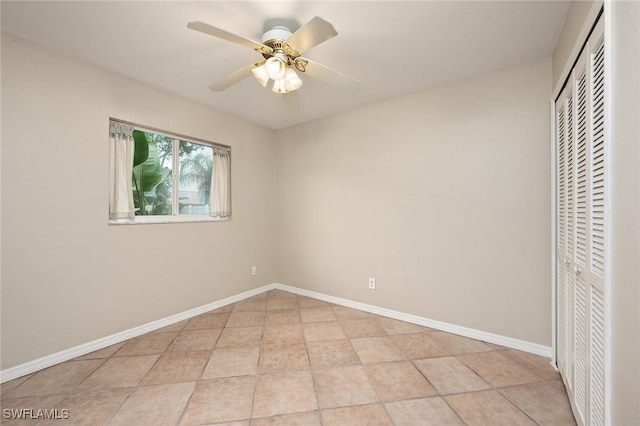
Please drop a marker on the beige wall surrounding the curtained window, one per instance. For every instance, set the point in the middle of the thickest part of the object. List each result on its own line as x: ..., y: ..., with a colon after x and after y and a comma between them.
x: 67, y: 277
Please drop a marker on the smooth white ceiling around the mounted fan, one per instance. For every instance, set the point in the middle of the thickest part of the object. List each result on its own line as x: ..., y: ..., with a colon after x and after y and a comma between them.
x: 393, y: 47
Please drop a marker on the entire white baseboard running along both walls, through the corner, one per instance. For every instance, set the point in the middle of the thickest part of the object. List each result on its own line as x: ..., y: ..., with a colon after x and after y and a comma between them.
x: 76, y: 351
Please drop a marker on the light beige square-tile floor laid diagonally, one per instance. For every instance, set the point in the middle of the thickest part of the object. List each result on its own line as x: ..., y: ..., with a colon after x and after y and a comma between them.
x: 282, y: 359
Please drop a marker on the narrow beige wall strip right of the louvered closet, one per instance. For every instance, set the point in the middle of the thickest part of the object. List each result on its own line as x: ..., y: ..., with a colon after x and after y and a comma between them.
x: 625, y: 212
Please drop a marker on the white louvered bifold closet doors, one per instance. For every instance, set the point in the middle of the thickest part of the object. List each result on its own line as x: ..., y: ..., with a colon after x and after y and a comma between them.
x: 580, y: 166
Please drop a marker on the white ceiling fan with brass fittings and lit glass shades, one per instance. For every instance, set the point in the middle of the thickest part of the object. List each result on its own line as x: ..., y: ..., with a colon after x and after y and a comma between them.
x: 281, y: 50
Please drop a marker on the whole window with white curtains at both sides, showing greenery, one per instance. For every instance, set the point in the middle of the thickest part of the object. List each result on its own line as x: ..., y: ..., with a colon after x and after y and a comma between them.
x: 159, y: 177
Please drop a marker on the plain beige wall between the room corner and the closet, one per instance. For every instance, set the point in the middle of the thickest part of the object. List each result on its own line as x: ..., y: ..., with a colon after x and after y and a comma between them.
x: 443, y: 196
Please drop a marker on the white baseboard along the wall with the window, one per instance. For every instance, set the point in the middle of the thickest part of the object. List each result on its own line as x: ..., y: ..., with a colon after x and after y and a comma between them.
x: 76, y: 351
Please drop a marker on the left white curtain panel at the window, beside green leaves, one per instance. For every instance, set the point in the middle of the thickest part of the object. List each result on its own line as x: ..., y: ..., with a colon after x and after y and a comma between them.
x: 121, y: 168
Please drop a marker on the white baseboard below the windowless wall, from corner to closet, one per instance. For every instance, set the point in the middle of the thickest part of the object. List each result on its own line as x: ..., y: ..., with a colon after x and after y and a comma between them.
x: 508, y: 342
